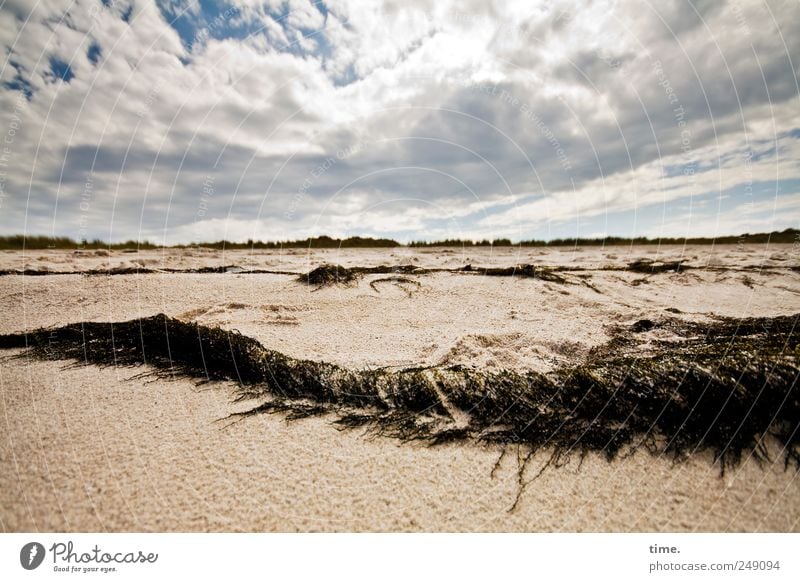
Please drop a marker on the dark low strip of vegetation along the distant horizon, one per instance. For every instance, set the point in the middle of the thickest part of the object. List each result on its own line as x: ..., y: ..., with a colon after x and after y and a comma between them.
x: 17, y: 242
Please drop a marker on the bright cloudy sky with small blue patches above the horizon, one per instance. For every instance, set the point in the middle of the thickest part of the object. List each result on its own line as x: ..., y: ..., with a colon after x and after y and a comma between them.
x: 191, y: 121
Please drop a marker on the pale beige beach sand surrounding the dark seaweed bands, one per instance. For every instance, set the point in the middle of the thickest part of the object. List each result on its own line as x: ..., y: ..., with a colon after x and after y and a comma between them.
x: 88, y: 448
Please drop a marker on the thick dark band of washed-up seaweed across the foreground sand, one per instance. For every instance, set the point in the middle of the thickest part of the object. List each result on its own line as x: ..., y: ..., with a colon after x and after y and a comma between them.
x: 723, y: 386
